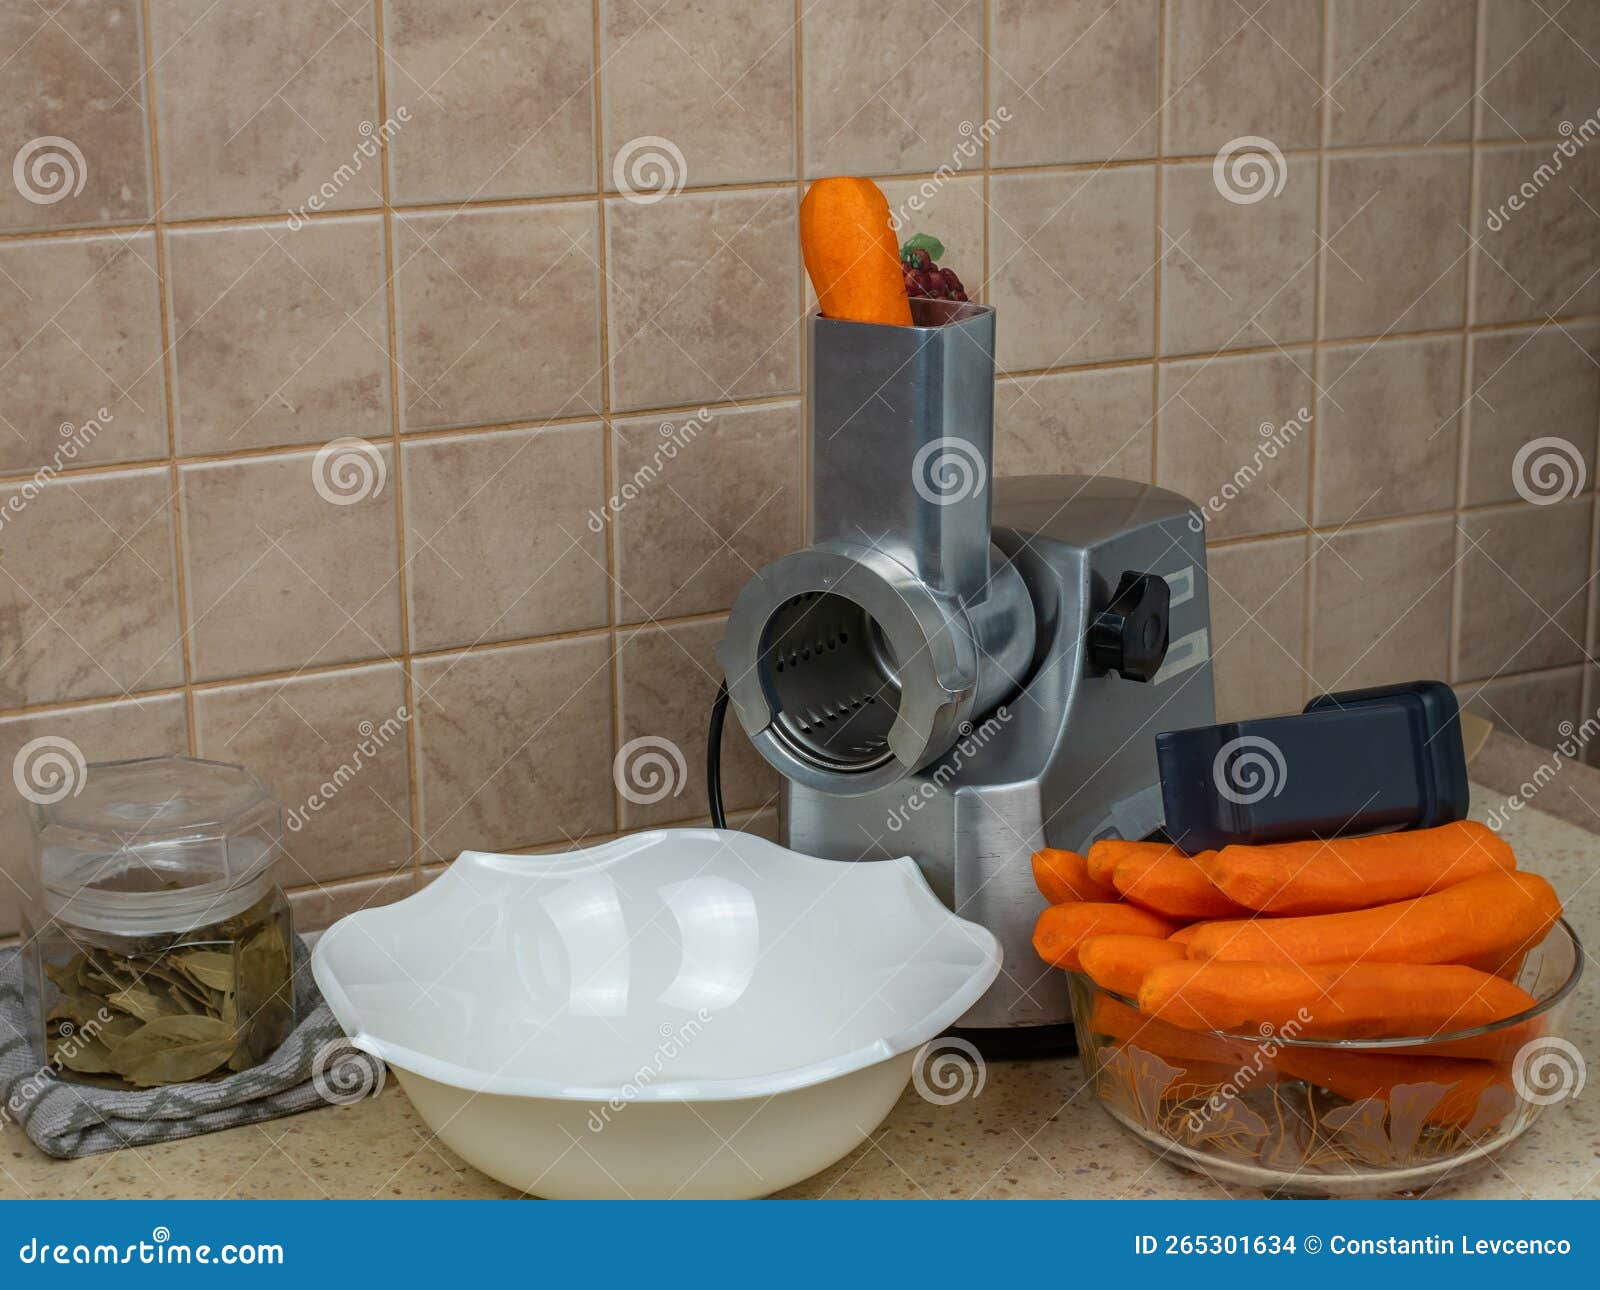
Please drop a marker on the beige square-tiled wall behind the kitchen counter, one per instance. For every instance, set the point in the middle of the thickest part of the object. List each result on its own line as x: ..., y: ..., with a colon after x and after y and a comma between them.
x: 338, y: 324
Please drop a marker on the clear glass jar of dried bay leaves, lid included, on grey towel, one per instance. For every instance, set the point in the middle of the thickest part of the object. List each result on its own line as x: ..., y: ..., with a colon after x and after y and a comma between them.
x: 161, y: 950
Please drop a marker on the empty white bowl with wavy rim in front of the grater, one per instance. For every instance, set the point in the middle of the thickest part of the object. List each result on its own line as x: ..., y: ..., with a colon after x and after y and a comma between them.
x: 689, y: 1012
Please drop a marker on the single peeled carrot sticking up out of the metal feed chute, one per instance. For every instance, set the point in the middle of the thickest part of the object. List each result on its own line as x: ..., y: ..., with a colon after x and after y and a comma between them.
x: 849, y: 249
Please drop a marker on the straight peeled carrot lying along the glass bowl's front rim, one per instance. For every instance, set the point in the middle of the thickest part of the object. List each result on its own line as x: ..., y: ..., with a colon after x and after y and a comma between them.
x: 1329, y: 1001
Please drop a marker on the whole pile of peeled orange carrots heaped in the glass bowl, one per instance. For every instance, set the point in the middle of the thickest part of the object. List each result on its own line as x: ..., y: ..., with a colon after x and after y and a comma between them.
x: 1404, y: 935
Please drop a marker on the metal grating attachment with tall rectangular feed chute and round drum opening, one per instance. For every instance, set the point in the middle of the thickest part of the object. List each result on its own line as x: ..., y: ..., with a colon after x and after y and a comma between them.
x: 862, y: 659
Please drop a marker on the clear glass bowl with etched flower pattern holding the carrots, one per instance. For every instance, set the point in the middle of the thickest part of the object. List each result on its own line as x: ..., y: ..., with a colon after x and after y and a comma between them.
x: 1335, y: 1118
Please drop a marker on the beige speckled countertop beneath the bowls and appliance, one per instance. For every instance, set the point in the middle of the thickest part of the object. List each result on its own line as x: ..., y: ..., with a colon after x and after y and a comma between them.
x: 1033, y: 1131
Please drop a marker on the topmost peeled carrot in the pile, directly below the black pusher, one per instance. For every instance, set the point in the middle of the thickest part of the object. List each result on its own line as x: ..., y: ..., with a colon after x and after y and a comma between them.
x: 1354, y: 873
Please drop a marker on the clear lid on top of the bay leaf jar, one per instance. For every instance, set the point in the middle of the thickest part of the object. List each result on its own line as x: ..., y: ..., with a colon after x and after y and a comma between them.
x: 158, y: 844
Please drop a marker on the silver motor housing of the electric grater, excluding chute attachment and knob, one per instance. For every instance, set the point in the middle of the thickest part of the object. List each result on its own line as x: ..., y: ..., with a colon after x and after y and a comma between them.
x: 1066, y: 761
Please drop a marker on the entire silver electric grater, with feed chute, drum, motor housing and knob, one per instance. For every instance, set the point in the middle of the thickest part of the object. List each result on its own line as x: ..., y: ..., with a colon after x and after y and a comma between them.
x: 958, y: 668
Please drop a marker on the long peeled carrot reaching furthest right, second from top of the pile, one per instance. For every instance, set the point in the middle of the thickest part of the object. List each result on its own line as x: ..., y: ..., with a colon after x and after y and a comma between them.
x: 1482, y: 923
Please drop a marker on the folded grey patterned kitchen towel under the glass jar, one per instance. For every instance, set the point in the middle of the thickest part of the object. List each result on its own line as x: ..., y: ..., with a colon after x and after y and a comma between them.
x: 314, y: 1067
